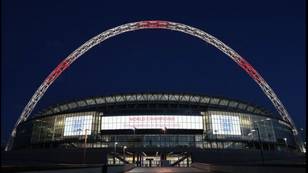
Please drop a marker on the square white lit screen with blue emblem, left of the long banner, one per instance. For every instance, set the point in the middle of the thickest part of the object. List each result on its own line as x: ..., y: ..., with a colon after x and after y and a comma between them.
x: 77, y: 125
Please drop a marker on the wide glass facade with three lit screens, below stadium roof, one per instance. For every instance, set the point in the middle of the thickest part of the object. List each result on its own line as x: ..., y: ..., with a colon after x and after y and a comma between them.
x: 211, y: 129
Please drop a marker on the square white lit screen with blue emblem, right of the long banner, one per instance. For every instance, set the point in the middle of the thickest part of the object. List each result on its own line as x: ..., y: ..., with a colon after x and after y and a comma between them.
x: 226, y: 125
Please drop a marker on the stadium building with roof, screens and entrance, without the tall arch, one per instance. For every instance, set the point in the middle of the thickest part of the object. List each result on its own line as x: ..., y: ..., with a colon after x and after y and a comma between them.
x: 150, y: 128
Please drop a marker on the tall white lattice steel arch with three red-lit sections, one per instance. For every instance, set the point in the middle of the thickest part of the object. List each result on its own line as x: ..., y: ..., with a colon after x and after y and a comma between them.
x: 156, y: 24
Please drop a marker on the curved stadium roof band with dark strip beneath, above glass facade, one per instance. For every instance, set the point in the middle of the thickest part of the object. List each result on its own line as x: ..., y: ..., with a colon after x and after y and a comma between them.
x: 156, y: 98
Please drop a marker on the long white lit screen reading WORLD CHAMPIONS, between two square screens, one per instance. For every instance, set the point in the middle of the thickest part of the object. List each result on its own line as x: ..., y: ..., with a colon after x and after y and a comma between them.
x: 151, y: 122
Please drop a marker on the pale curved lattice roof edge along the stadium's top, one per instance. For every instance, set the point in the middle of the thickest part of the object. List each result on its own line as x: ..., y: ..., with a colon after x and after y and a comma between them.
x: 187, y: 98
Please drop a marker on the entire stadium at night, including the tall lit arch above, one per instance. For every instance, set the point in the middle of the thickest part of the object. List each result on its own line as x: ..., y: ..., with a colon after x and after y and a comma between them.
x: 154, y: 129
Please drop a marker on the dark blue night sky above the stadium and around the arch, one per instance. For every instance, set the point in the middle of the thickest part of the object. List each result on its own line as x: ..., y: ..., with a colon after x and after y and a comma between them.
x: 37, y: 35
